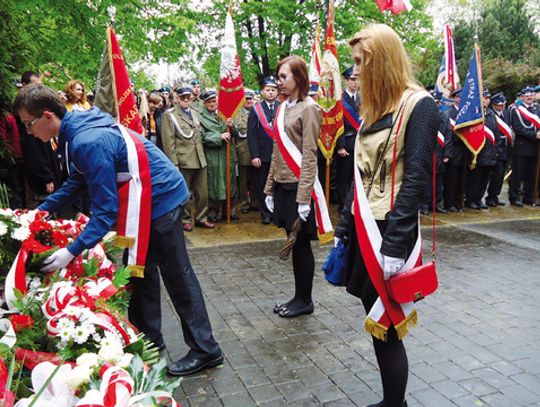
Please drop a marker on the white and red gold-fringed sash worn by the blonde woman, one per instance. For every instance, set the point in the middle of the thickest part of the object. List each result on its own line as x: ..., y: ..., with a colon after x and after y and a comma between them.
x: 385, y: 312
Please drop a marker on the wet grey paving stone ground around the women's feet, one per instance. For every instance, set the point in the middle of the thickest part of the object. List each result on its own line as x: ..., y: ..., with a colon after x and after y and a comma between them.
x: 476, y: 343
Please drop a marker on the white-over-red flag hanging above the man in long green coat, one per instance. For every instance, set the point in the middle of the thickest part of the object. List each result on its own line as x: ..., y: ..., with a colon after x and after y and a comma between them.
x: 231, y: 87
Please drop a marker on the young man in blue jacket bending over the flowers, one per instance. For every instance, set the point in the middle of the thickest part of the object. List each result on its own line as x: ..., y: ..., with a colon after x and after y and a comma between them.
x: 93, y: 147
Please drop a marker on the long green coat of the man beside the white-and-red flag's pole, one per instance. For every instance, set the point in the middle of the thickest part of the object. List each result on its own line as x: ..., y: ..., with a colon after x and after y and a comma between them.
x: 212, y: 126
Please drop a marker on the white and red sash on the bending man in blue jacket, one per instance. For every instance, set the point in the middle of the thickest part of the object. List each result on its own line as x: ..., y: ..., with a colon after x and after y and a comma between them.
x: 135, y: 204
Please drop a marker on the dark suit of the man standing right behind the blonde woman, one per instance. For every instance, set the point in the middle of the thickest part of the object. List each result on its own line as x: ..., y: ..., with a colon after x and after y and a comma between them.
x: 344, y: 165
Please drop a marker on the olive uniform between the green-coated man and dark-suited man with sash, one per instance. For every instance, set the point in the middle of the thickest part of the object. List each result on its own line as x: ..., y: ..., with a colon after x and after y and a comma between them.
x: 244, y: 157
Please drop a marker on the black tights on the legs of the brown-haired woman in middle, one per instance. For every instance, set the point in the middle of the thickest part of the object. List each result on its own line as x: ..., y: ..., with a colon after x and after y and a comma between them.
x: 303, y: 266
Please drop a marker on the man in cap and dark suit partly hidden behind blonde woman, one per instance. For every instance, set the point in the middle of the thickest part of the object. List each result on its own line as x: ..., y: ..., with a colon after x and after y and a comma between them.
x: 345, y: 143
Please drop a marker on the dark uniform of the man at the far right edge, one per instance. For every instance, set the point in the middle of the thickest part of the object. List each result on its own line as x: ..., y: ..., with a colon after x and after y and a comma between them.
x: 525, y: 151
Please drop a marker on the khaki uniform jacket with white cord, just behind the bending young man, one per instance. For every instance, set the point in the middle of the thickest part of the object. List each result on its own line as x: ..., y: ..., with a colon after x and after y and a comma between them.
x: 182, y: 139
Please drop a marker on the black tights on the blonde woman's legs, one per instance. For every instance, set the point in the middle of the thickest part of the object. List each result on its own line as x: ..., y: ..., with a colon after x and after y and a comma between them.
x: 394, y: 367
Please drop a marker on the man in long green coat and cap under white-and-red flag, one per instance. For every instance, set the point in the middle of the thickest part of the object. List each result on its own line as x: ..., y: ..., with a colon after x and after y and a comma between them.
x: 215, y: 138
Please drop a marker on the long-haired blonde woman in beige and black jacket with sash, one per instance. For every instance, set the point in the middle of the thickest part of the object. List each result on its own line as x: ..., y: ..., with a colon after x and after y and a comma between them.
x: 393, y: 157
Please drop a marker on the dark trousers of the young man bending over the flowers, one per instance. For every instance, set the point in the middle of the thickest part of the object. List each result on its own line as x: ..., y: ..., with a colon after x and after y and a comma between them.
x: 167, y: 252
